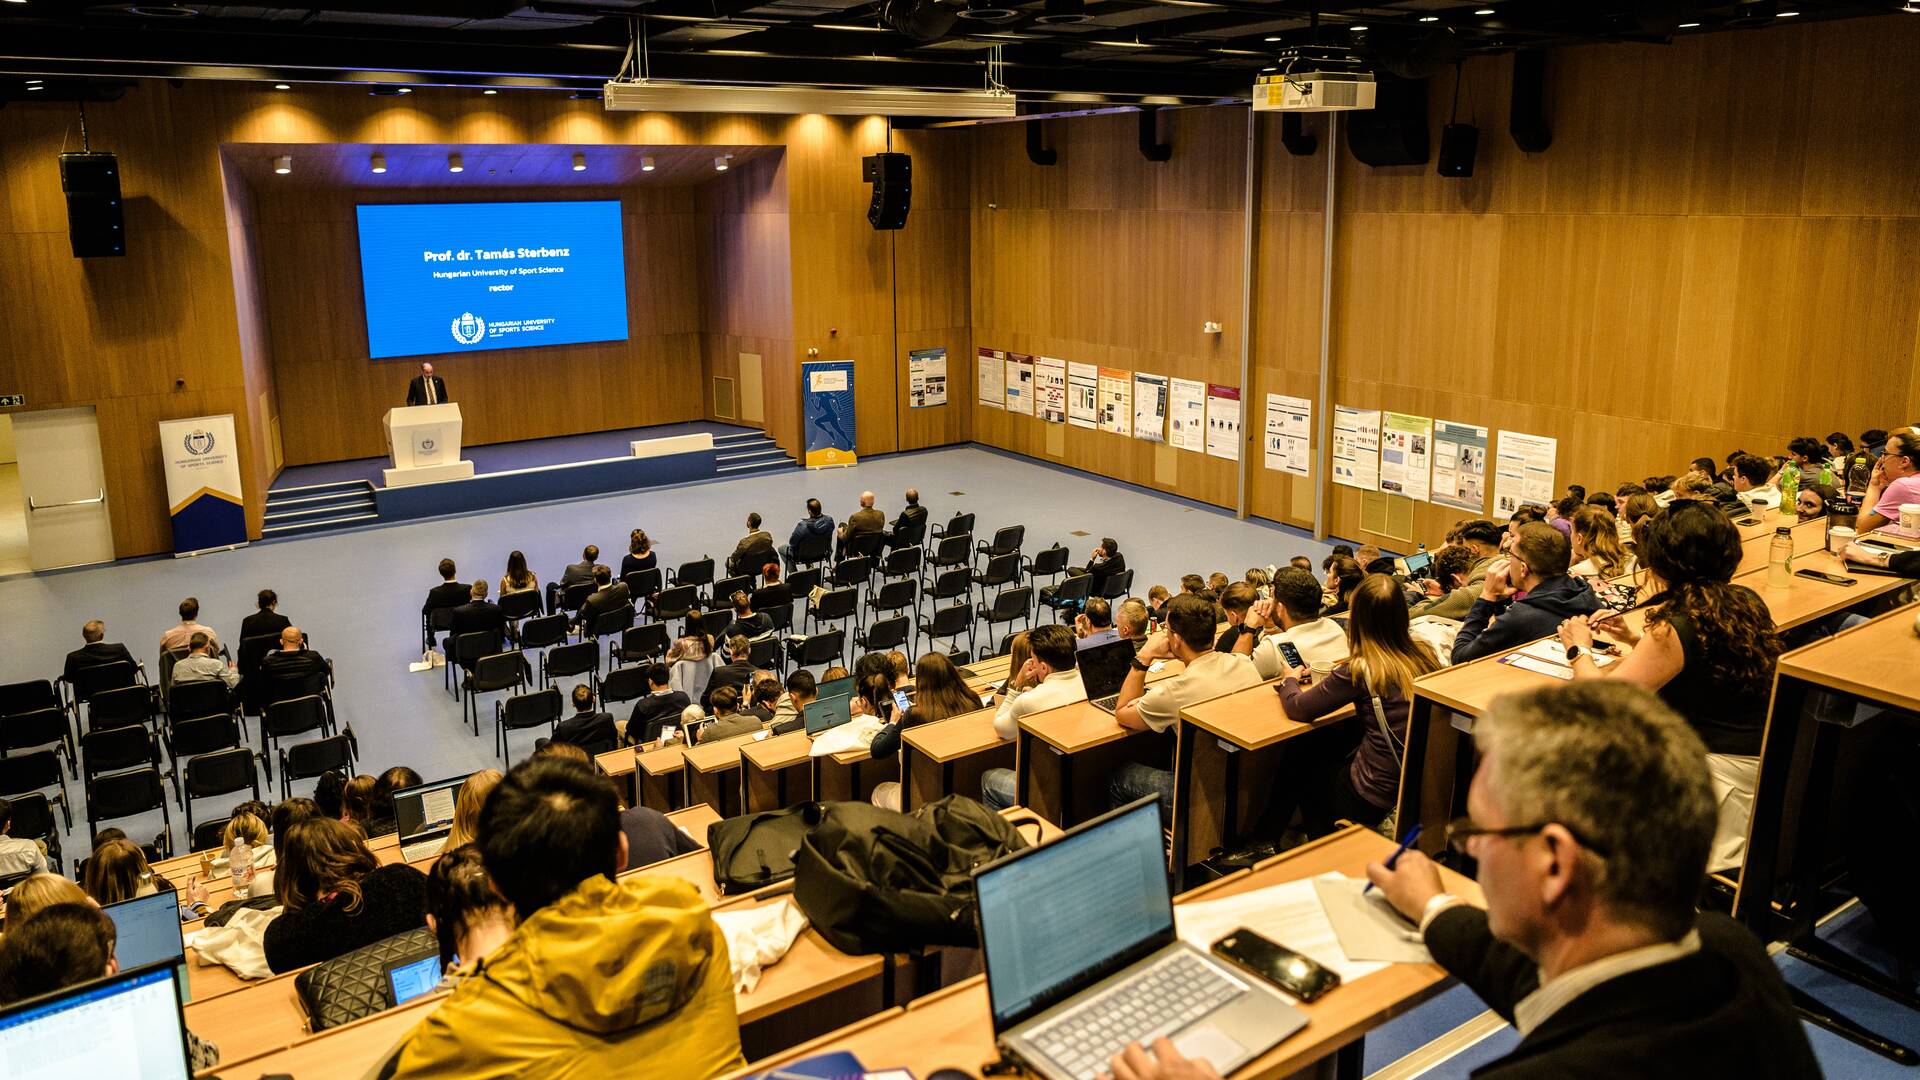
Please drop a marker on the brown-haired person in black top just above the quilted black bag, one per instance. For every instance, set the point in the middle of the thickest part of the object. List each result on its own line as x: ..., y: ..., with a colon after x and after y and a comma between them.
x: 337, y: 896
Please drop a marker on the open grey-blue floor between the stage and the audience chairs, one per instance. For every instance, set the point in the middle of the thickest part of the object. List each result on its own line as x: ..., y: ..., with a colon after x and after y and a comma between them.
x: 358, y: 595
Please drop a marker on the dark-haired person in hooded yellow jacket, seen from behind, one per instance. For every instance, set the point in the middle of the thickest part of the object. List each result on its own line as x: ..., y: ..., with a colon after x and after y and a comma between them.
x: 602, y: 977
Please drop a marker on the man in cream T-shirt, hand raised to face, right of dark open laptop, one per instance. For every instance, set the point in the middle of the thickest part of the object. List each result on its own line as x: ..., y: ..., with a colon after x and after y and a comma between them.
x: 1188, y: 639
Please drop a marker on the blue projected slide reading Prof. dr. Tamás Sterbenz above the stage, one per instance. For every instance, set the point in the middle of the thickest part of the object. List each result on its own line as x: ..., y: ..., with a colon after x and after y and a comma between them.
x: 479, y: 276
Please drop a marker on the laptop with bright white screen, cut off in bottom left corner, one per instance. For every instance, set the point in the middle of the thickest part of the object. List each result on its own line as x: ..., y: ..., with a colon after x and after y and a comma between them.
x: 126, y: 1025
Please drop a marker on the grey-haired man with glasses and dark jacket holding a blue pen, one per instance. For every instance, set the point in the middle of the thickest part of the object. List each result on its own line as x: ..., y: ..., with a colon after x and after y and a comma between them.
x: 1591, y: 823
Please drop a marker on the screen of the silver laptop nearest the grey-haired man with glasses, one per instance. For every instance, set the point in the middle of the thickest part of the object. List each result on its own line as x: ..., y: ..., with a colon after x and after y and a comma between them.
x: 1068, y: 914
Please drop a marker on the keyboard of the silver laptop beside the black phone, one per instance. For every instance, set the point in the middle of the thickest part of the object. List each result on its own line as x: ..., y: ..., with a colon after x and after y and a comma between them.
x: 1155, y: 1002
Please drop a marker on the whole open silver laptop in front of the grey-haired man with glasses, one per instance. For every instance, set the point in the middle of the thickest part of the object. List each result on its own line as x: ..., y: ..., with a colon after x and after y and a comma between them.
x: 1082, y: 958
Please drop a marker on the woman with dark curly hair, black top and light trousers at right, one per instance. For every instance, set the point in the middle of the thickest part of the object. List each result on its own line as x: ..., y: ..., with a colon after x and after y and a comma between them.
x: 1710, y: 650
